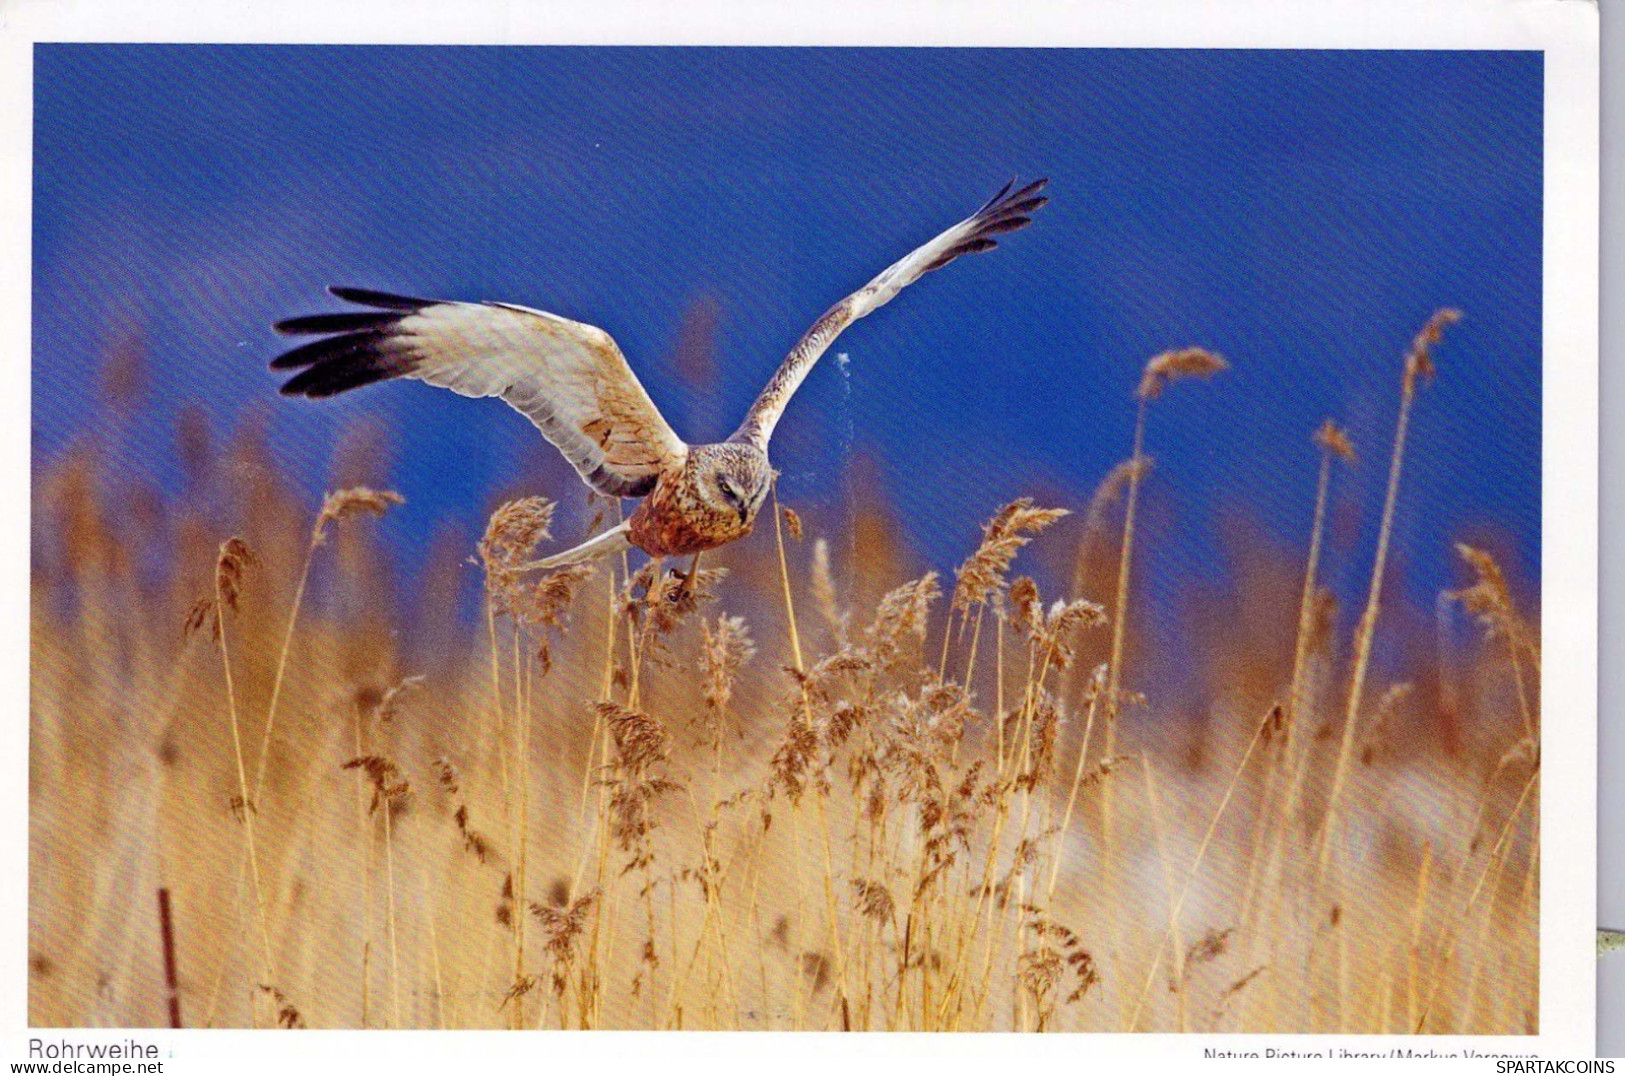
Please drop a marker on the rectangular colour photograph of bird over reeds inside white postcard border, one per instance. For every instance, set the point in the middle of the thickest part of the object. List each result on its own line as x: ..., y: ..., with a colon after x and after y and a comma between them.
x: 976, y: 540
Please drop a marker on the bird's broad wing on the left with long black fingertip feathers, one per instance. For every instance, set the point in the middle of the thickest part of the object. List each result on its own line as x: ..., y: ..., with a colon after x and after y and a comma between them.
x: 566, y: 378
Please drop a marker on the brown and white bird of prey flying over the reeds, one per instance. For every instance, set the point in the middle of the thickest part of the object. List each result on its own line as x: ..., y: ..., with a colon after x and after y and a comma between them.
x: 576, y: 386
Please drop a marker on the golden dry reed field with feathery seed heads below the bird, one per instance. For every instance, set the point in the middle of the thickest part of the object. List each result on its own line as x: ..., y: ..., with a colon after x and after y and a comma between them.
x: 817, y: 789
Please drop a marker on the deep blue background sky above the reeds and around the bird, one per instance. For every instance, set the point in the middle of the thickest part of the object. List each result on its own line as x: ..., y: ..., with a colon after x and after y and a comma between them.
x: 1299, y: 212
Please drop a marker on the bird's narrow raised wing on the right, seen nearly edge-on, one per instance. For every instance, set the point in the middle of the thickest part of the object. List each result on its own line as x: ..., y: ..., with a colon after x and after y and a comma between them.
x: 1007, y: 212
